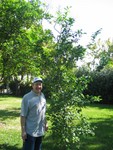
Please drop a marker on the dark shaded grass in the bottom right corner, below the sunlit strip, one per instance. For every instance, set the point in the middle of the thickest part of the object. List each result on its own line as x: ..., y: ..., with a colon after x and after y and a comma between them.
x: 103, y: 139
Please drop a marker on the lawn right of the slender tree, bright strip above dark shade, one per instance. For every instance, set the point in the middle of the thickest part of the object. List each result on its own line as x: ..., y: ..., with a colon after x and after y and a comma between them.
x: 100, y: 116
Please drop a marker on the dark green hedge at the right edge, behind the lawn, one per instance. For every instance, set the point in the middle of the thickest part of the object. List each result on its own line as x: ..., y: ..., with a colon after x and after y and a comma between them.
x: 101, y: 85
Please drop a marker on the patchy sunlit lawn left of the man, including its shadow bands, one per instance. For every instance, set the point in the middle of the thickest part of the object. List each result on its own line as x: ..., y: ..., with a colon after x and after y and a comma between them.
x: 10, y: 138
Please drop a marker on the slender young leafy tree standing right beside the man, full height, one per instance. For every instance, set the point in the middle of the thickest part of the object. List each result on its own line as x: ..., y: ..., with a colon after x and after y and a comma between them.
x: 68, y: 126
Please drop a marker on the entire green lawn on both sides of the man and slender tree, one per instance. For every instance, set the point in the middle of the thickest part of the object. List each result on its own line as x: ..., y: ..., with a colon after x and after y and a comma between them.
x: 100, y: 116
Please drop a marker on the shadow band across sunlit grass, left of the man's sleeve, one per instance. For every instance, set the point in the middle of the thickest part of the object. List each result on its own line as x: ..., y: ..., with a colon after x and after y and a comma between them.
x: 9, y: 114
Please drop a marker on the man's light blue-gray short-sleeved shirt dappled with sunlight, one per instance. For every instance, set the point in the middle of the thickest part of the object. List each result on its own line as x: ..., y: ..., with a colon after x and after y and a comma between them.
x: 33, y: 107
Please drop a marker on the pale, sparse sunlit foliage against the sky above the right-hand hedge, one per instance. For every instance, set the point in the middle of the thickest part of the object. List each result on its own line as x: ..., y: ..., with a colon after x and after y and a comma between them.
x: 101, y: 53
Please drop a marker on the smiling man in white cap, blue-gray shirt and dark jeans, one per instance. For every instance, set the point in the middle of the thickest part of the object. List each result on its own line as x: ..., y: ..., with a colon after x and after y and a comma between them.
x: 33, y: 121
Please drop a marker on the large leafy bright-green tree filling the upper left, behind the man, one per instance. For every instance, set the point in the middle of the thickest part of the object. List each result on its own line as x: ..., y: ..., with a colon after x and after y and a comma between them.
x: 21, y: 29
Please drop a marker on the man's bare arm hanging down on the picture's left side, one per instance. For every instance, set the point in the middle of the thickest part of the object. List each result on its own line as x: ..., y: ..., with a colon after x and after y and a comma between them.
x: 23, y: 130
